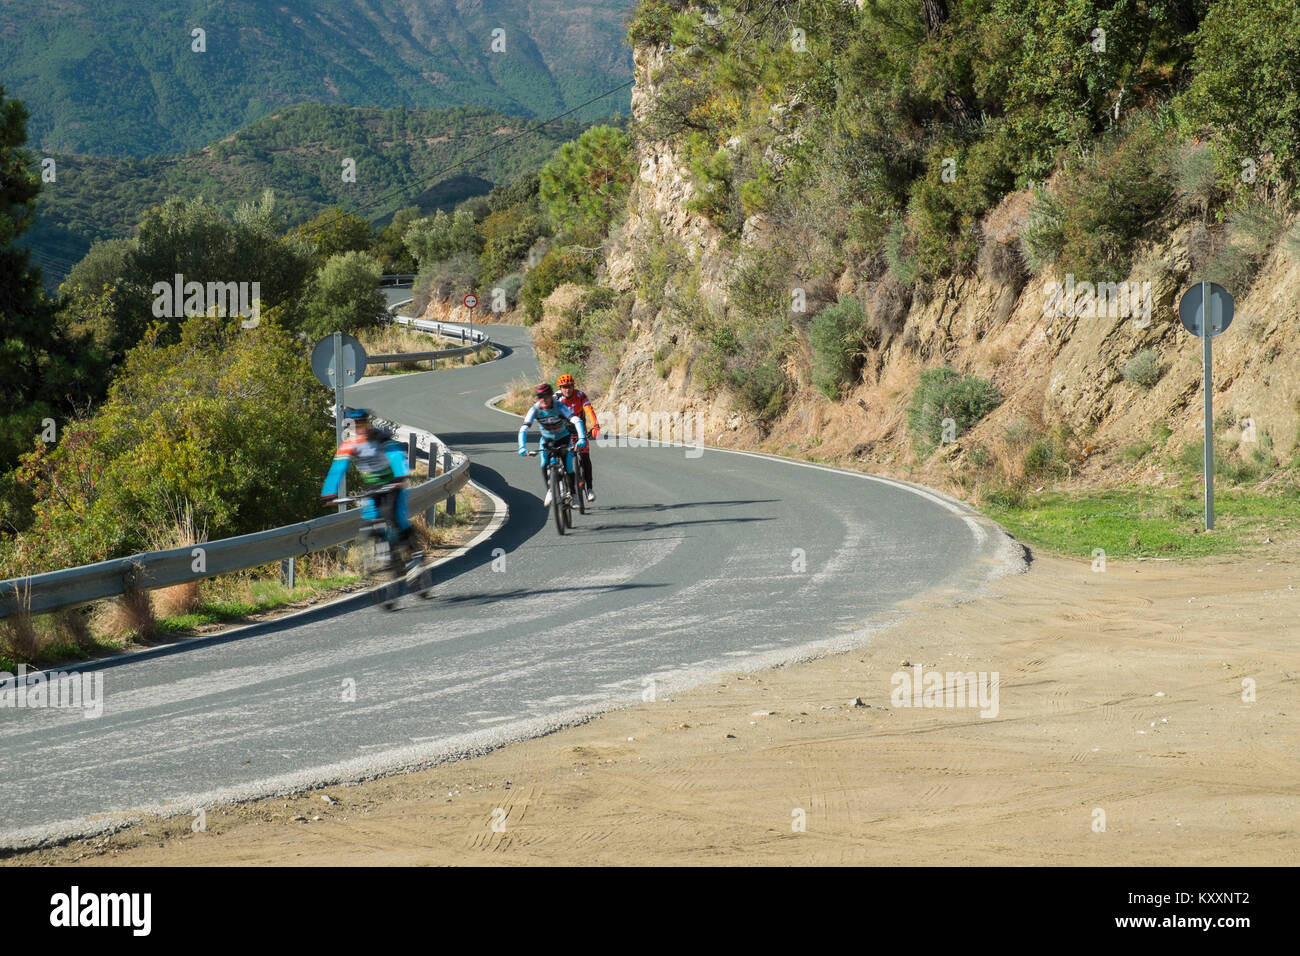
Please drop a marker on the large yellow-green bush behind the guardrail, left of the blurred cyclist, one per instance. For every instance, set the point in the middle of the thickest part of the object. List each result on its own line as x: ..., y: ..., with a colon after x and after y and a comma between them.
x: 205, y: 426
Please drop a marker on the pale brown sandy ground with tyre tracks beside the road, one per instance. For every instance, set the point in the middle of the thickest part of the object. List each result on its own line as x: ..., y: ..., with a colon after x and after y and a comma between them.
x: 1121, y: 738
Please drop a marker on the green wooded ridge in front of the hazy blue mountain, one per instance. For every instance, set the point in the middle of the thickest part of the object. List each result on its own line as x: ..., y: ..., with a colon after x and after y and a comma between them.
x: 300, y: 153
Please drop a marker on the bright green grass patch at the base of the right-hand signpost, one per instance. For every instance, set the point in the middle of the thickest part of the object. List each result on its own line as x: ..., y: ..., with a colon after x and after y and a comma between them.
x: 1147, y: 524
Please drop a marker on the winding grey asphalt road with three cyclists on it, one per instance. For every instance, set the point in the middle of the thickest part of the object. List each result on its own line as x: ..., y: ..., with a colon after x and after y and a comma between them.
x: 691, y: 564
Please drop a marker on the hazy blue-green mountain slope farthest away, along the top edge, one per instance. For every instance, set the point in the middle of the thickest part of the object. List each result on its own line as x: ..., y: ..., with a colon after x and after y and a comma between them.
x: 120, y: 79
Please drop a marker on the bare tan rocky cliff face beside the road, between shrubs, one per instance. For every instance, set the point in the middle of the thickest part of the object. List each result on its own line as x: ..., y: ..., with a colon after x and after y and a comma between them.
x: 1055, y: 351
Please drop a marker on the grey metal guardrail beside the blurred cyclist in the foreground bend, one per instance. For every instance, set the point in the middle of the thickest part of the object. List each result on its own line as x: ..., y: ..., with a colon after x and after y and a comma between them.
x: 76, y: 586
